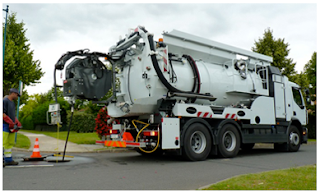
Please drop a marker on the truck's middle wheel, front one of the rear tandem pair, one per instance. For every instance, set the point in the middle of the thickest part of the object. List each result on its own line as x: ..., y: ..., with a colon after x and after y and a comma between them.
x: 229, y: 141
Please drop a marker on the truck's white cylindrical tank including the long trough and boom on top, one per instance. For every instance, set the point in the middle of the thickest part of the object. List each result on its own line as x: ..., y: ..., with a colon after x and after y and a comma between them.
x: 149, y: 72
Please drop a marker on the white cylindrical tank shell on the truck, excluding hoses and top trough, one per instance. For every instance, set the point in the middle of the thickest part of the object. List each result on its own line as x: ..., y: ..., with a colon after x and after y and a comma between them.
x: 140, y: 87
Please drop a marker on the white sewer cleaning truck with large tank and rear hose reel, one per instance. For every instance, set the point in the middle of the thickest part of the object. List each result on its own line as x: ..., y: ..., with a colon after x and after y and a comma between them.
x: 188, y: 94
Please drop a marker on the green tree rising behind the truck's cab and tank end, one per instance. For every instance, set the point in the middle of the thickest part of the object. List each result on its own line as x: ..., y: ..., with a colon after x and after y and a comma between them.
x: 278, y: 50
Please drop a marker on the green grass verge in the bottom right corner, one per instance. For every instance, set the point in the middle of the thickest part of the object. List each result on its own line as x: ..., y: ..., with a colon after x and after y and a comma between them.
x: 301, y: 178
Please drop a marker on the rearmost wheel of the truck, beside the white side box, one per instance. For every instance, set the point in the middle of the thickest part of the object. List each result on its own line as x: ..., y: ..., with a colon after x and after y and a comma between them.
x: 197, y: 142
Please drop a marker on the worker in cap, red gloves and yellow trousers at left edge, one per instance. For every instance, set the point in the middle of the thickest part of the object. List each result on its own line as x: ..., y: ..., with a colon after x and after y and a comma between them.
x: 10, y: 125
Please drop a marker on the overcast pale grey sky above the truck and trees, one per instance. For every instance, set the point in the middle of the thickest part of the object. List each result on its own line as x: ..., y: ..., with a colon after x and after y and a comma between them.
x: 53, y: 29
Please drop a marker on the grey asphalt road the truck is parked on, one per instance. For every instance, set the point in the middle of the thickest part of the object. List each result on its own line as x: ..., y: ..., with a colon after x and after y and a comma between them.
x: 131, y: 171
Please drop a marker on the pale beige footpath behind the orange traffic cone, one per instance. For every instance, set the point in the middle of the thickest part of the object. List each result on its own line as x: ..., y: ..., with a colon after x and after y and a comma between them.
x: 50, y: 144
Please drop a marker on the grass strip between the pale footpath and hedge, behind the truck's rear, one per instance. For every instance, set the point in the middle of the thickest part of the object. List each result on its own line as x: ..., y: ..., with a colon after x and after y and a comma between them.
x: 78, y: 138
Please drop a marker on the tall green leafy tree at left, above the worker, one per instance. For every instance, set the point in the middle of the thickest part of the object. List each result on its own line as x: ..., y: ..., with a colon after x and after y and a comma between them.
x: 18, y: 61
